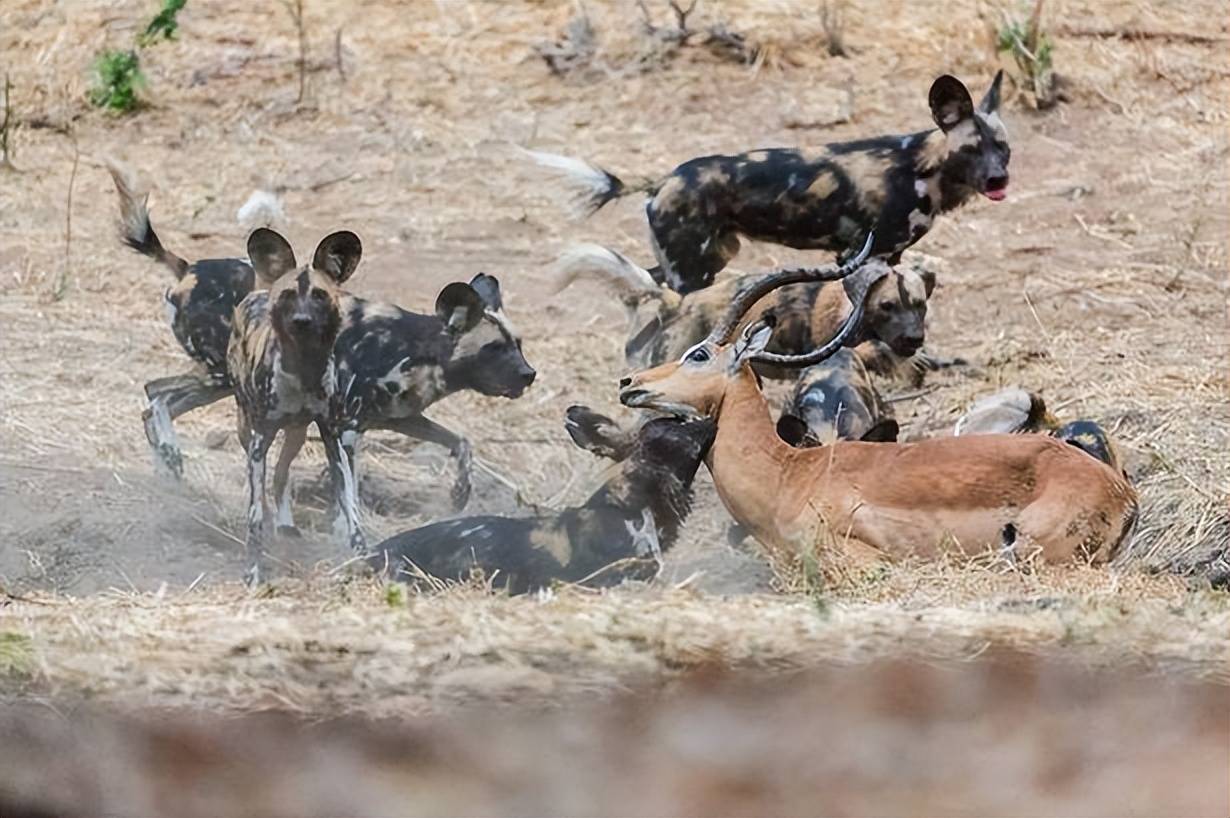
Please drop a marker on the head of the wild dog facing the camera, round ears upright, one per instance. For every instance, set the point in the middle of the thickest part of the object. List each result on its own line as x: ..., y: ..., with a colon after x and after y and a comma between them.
x: 304, y: 302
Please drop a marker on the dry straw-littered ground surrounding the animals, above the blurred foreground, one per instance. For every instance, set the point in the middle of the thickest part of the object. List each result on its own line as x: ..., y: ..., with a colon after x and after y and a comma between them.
x: 1101, y: 282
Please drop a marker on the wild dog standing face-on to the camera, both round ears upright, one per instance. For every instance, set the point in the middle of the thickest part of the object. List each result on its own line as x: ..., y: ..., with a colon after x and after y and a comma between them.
x: 281, y: 360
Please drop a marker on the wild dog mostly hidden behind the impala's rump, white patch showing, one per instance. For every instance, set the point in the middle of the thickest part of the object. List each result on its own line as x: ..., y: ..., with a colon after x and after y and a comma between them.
x: 1018, y: 411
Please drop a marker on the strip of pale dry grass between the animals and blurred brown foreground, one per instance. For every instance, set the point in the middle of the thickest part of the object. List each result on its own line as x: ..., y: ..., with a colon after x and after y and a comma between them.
x: 329, y: 648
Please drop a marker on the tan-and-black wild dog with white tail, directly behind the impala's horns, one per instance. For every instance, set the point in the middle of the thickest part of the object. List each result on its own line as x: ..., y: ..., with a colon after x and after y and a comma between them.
x: 807, y: 313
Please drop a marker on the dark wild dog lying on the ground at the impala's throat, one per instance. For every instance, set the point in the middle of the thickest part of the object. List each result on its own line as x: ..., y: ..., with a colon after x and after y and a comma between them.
x: 618, y: 534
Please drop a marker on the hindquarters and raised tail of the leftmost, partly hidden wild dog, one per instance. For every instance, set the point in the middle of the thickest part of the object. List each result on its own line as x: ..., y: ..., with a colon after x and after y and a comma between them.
x: 201, y: 306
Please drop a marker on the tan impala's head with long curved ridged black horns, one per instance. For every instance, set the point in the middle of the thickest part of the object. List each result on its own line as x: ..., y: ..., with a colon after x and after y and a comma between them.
x: 696, y: 386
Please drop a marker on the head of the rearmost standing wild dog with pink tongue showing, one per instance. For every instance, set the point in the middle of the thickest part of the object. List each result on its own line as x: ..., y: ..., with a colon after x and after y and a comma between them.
x: 977, y: 141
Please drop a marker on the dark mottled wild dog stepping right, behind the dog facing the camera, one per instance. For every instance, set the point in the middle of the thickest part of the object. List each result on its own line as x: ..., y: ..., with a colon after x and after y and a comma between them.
x: 394, y: 365
